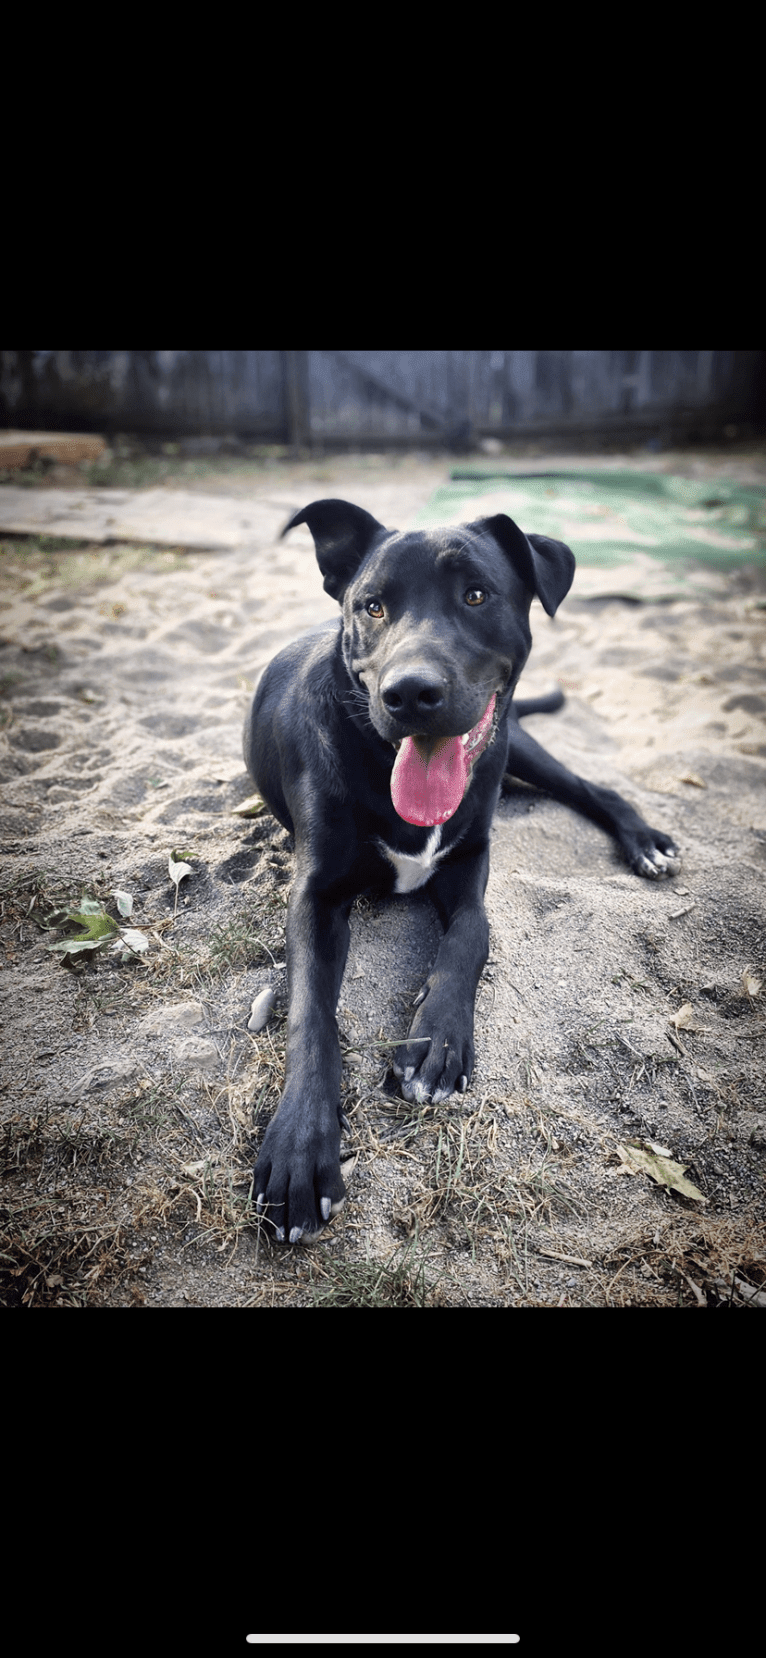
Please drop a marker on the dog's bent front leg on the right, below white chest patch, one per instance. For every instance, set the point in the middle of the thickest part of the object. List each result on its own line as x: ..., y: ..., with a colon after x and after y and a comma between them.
x: 440, y: 1054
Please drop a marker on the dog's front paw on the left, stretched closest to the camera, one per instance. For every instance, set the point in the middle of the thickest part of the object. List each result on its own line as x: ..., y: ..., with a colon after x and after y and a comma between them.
x: 298, y: 1181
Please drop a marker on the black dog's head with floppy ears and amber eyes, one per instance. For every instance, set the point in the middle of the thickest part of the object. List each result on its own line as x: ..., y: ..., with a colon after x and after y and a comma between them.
x: 435, y: 626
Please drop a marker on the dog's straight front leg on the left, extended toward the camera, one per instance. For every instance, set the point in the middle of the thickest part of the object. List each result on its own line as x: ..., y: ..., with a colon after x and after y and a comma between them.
x: 298, y: 1180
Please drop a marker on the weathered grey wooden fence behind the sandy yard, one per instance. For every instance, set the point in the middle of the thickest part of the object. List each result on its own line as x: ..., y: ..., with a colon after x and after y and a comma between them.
x: 385, y: 399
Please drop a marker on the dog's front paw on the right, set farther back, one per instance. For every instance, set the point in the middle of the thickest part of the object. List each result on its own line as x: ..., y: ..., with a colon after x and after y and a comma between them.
x: 439, y: 1057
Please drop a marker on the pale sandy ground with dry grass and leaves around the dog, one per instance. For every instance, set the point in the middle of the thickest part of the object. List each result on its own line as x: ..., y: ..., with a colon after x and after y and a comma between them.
x: 133, y: 1093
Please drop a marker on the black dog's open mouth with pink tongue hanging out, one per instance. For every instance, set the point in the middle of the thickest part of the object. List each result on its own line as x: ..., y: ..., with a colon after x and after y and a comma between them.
x: 432, y: 775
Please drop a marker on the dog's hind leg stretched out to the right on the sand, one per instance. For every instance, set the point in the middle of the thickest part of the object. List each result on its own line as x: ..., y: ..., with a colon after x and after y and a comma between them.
x: 649, y: 851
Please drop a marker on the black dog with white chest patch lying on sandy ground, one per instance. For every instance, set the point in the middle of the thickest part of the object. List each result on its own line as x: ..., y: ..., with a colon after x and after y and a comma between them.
x: 382, y: 744
